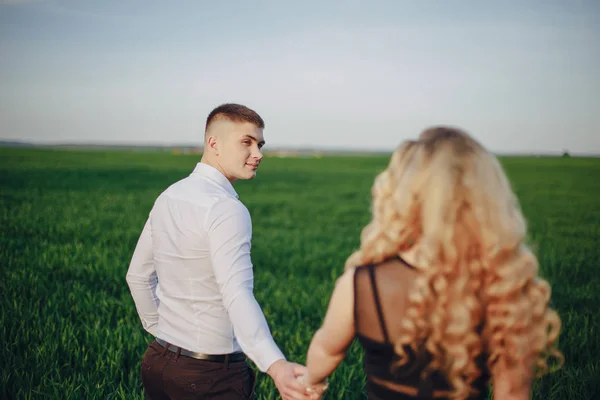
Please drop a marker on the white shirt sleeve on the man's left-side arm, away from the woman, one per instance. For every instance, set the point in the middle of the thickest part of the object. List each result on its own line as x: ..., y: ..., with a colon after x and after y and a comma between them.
x: 142, y: 280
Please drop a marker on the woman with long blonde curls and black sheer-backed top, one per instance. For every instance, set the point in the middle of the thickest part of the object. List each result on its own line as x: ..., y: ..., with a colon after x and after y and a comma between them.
x: 443, y: 293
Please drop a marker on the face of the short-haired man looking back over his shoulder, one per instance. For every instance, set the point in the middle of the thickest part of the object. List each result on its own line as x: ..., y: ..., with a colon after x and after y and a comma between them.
x: 240, y: 151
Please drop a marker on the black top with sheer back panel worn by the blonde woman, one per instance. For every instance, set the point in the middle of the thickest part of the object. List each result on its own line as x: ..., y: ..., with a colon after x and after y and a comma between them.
x: 371, y: 304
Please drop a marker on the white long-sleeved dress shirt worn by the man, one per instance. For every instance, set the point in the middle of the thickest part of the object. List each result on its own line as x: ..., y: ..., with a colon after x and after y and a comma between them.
x: 191, y: 274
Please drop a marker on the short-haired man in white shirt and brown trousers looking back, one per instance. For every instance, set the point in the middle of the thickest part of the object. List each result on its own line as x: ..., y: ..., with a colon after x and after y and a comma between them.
x: 191, y: 277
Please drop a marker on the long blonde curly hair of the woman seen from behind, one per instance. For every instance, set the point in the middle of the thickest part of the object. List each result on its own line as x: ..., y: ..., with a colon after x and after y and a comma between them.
x: 478, y: 289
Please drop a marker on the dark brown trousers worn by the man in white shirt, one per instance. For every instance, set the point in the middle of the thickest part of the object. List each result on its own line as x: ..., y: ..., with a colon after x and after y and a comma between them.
x: 169, y: 376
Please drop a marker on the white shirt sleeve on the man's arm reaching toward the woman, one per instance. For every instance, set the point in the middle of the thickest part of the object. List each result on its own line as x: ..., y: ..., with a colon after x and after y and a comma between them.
x: 229, y: 230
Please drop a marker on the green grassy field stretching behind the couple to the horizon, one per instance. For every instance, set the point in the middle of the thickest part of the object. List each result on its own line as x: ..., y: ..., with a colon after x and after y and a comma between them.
x: 70, y: 220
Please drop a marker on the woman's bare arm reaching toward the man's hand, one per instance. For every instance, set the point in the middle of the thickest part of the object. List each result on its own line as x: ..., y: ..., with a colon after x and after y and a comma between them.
x: 329, y: 344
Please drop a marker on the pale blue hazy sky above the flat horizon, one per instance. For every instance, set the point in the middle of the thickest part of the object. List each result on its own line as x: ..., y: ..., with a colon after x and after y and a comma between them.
x: 520, y: 76
